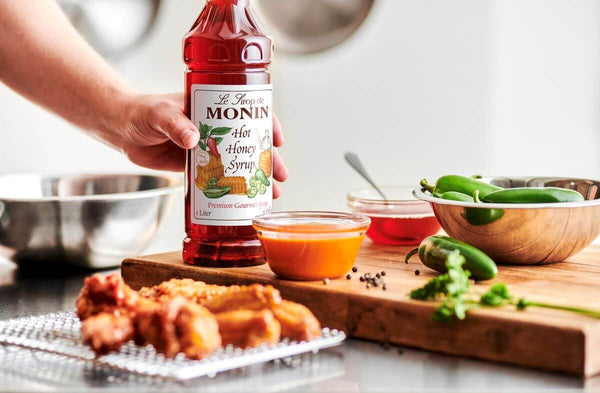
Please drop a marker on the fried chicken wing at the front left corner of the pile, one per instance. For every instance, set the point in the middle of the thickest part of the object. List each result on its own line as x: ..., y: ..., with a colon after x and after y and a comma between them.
x: 106, y: 332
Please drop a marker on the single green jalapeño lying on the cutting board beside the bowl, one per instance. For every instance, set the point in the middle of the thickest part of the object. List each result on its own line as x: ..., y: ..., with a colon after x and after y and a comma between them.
x: 434, y: 250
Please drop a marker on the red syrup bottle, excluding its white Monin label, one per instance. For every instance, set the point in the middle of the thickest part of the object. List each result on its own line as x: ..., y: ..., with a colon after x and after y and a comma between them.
x: 226, y: 46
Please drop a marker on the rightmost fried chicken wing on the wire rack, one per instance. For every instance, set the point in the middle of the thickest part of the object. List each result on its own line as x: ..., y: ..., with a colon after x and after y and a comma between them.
x: 297, y: 321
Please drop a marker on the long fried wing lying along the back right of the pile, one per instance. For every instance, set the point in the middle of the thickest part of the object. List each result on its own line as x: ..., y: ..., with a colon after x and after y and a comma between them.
x: 252, y: 297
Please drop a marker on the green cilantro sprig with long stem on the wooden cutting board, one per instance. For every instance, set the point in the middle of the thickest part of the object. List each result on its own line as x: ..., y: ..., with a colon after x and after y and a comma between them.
x: 453, y: 290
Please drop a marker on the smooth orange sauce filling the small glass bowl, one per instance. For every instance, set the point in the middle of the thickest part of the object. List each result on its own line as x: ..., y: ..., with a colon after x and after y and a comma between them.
x: 311, y: 251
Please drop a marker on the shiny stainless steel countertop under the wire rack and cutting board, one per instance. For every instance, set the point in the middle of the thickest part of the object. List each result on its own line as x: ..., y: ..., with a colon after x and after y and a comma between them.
x: 356, y: 366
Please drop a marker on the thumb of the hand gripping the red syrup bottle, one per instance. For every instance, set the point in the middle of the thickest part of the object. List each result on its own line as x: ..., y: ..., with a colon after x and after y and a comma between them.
x: 173, y: 123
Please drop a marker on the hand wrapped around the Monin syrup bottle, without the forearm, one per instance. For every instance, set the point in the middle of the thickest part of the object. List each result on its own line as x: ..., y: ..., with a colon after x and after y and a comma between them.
x: 157, y: 132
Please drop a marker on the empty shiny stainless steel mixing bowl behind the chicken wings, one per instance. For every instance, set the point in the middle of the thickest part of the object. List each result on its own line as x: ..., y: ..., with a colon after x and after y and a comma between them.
x: 92, y: 221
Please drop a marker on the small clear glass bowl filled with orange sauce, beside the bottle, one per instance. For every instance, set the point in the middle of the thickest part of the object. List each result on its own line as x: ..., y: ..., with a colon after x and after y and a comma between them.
x: 311, y: 245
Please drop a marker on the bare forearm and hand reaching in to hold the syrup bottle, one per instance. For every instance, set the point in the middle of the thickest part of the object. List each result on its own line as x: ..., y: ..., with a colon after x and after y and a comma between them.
x: 44, y: 59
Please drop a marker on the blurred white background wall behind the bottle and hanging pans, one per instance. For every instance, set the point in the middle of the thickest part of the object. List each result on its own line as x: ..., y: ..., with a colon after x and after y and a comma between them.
x: 423, y: 88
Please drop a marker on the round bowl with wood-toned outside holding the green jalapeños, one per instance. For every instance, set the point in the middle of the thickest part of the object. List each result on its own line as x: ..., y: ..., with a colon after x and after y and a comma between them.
x: 525, y: 234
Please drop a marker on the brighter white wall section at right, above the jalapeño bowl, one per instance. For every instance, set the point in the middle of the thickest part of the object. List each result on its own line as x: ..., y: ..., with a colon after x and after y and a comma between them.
x: 546, y: 88
